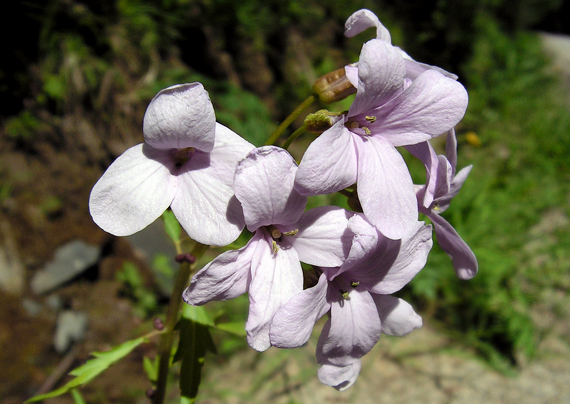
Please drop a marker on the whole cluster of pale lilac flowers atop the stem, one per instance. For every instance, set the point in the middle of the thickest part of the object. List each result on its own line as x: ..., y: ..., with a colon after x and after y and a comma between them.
x: 216, y: 184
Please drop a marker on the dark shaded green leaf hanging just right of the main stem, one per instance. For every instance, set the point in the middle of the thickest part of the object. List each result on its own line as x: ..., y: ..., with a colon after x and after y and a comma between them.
x: 195, y: 341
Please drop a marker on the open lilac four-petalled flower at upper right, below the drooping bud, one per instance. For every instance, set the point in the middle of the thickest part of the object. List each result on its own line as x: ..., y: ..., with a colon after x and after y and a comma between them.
x: 389, y: 110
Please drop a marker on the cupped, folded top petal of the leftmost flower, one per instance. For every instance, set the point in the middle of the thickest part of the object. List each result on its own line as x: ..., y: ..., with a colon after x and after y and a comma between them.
x: 180, y: 116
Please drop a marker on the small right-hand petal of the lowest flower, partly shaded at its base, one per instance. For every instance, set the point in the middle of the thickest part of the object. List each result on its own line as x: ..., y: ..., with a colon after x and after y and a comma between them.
x: 397, y: 316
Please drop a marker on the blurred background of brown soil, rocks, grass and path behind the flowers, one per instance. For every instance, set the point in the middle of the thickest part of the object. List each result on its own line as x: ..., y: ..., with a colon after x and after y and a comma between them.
x: 75, y: 80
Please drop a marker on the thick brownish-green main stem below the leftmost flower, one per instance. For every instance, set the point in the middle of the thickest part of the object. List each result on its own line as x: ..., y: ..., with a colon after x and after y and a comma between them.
x: 167, y: 337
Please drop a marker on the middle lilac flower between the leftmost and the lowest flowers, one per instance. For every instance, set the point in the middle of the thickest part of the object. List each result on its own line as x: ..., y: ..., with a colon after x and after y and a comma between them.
x: 268, y: 267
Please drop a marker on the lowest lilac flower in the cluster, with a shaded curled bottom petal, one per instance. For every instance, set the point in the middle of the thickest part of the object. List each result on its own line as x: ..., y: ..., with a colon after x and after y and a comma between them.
x: 357, y: 297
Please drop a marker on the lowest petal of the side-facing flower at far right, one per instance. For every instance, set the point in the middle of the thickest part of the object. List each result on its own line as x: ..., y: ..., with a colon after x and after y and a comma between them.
x: 464, y: 261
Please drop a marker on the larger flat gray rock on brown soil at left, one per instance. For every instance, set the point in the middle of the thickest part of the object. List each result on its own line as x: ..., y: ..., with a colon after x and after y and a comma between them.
x: 70, y: 260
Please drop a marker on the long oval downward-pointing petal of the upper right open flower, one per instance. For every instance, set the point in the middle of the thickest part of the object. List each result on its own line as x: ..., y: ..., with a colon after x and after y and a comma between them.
x: 385, y: 187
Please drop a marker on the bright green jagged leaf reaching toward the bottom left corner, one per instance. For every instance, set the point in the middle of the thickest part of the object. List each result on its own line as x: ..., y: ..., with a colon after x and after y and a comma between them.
x: 92, y: 368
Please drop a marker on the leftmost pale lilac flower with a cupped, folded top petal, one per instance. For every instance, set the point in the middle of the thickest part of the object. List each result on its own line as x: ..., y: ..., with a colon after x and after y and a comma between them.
x: 187, y: 162
